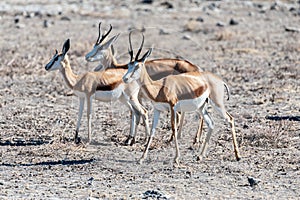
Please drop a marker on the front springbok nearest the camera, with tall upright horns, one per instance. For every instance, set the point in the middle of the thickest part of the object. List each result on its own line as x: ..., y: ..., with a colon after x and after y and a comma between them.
x: 180, y: 93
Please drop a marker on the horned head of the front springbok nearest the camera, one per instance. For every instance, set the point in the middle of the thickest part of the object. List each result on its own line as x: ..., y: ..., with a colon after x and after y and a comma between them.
x: 135, y: 65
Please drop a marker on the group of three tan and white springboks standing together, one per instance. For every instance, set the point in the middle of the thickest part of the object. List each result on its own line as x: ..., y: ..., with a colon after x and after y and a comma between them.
x: 171, y: 85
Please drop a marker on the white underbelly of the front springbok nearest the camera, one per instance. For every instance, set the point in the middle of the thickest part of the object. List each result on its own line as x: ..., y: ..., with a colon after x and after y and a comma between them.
x: 190, y: 105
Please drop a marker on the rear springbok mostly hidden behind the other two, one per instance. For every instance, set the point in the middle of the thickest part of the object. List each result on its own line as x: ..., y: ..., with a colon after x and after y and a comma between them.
x: 157, y: 69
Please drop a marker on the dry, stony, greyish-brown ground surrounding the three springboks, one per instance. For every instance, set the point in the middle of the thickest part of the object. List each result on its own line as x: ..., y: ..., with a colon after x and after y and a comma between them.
x: 253, y: 45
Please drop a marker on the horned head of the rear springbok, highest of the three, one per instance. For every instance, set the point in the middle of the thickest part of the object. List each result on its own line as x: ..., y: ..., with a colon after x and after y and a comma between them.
x: 101, y: 47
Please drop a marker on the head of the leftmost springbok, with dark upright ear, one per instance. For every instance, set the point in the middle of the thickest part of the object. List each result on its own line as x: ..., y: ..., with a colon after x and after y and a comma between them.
x: 56, y: 61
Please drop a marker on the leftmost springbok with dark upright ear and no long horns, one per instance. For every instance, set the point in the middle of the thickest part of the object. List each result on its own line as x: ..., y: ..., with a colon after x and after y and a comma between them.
x: 105, y: 86
